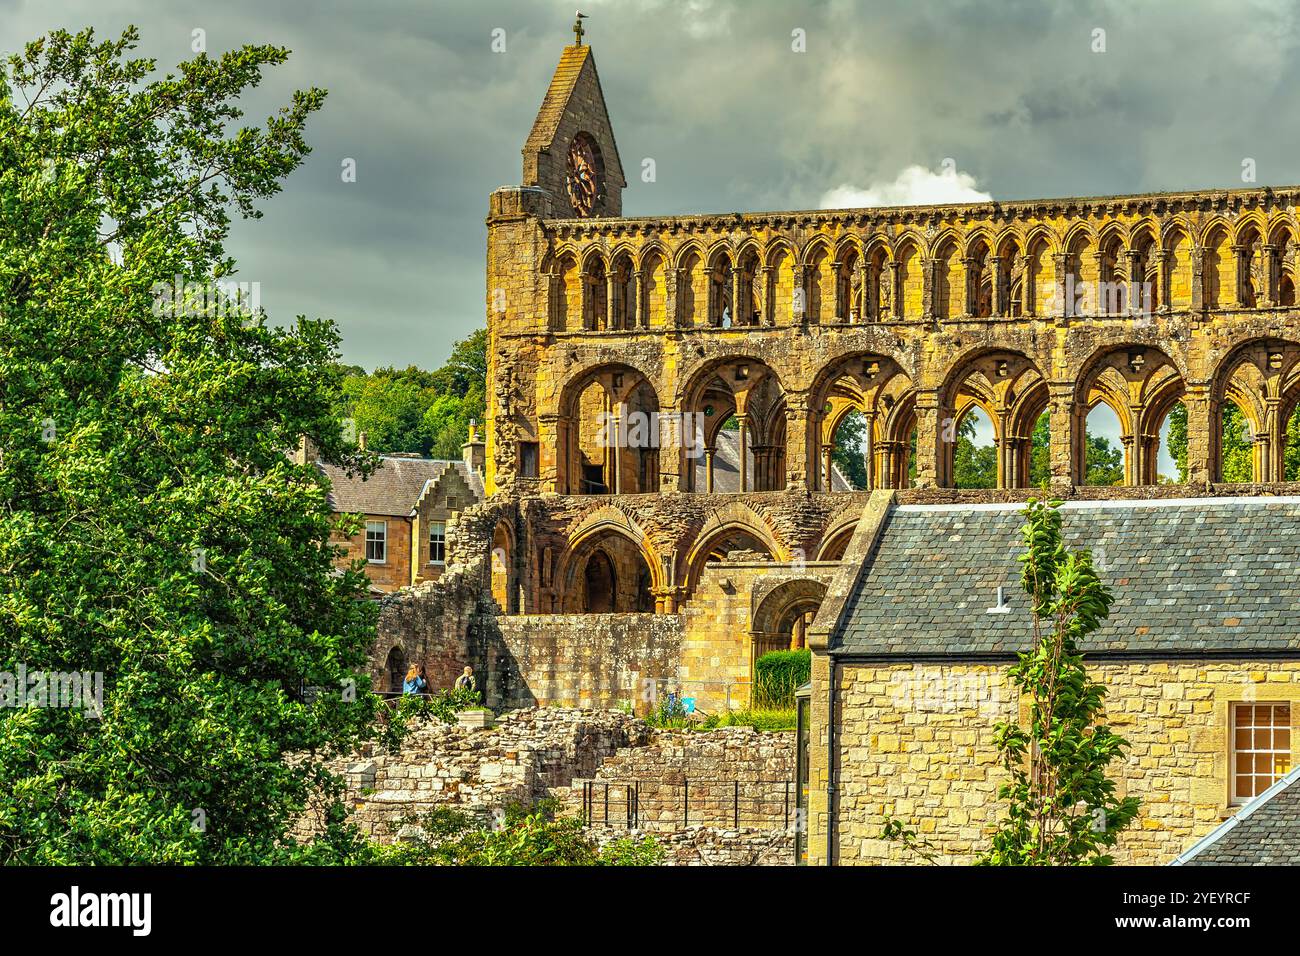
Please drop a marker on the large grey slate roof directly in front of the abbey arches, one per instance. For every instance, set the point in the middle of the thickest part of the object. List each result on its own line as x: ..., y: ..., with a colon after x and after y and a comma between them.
x: 1197, y: 577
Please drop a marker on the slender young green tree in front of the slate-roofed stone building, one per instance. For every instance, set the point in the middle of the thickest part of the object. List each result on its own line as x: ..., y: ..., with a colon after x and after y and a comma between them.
x: 1063, y: 807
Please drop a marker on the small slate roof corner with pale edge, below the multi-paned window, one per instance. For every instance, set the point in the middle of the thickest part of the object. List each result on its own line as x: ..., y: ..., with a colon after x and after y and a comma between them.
x: 1264, y: 833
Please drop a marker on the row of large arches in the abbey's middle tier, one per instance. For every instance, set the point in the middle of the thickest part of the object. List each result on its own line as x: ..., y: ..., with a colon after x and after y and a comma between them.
x: 1129, y: 425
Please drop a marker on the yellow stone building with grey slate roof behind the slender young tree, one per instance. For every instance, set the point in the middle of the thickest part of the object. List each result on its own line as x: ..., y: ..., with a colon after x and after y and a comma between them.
x: 1201, y: 657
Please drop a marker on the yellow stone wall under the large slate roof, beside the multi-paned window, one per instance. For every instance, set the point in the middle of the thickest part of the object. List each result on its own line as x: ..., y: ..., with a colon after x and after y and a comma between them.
x: 917, y: 743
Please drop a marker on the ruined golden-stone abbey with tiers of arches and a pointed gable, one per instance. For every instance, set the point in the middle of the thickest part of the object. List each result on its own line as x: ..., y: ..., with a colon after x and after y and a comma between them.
x: 785, y: 323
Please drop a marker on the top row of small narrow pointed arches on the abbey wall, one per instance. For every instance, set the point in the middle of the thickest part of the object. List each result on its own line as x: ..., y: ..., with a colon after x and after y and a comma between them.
x: 1115, y: 271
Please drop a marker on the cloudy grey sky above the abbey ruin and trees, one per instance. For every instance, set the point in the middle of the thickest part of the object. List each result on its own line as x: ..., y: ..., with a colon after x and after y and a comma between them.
x: 709, y: 89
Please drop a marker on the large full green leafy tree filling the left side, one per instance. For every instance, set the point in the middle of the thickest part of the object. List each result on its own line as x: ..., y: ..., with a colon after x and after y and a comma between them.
x: 154, y: 530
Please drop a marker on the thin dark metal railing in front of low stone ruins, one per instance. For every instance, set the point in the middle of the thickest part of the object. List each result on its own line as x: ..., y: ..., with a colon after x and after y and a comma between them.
x: 644, y: 804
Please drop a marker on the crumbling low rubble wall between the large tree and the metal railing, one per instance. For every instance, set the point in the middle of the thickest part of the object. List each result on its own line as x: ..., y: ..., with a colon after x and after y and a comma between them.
x: 518, y: 762
